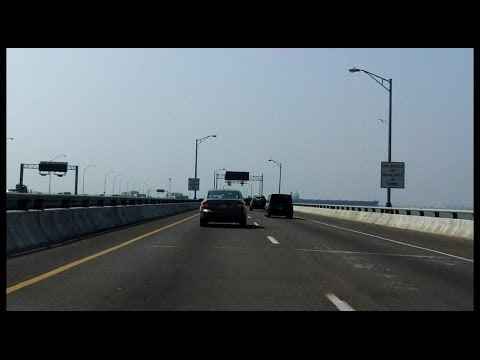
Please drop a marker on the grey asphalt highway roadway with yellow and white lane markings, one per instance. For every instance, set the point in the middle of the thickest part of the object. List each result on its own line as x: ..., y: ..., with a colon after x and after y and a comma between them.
x: 306, y: 263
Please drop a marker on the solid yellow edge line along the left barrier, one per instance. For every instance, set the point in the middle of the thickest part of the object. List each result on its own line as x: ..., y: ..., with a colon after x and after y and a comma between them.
x: 88, y: 258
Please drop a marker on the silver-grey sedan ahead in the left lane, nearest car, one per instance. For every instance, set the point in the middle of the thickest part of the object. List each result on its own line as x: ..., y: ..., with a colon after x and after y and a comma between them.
x: 223, y: 206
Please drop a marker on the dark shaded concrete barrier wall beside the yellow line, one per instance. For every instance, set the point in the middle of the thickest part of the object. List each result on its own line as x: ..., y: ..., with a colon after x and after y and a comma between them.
x: 27, y: 230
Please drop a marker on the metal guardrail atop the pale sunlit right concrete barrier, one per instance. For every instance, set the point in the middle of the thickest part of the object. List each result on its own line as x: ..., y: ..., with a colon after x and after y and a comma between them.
x: 442, y: 213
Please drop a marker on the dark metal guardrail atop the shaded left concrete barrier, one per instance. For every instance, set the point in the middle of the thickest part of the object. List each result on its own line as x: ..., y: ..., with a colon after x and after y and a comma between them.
x: 18, y: 201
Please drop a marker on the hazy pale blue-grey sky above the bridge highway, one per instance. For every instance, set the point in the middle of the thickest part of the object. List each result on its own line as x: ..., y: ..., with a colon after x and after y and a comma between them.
x: 138, y: 112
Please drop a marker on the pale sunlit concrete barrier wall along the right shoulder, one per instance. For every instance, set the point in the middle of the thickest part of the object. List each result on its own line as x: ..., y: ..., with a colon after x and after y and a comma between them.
x: 449, y: 227
